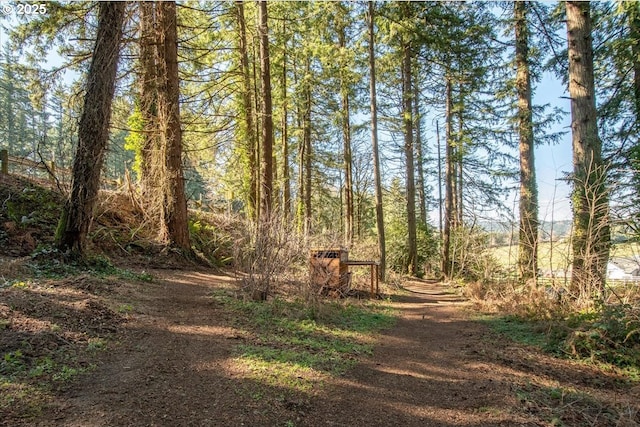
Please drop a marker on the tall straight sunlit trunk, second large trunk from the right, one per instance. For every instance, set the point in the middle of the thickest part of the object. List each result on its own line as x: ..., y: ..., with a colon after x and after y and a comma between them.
x: 528, y: 242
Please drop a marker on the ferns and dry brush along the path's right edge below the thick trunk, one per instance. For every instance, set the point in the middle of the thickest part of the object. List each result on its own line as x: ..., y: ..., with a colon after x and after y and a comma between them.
x: 605, y: 333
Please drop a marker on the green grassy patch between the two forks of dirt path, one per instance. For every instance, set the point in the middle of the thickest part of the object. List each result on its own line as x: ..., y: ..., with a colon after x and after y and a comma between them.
x: 293, y: 345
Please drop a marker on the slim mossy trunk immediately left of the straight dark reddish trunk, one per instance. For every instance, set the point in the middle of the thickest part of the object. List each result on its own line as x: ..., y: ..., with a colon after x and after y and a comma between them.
x: 249, y: 146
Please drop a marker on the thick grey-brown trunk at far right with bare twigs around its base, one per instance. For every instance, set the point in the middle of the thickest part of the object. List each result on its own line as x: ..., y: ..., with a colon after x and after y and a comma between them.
x: 591, y: 236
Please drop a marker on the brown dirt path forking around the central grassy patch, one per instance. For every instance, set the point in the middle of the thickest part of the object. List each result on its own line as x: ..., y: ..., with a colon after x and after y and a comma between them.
x: 435, y: 368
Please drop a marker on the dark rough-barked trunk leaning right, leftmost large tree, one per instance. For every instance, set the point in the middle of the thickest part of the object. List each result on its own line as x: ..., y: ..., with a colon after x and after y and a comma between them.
x: 93, y: 130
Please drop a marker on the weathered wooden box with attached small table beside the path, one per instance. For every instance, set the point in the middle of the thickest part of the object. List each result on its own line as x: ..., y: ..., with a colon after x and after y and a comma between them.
x: 329, y: 270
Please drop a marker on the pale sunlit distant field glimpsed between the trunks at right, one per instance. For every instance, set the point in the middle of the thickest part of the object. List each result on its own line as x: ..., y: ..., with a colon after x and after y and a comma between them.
x: 556, y: 255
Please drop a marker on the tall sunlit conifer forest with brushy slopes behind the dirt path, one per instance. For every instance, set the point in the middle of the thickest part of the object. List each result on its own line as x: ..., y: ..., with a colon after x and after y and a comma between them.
x: 240, y: 136
